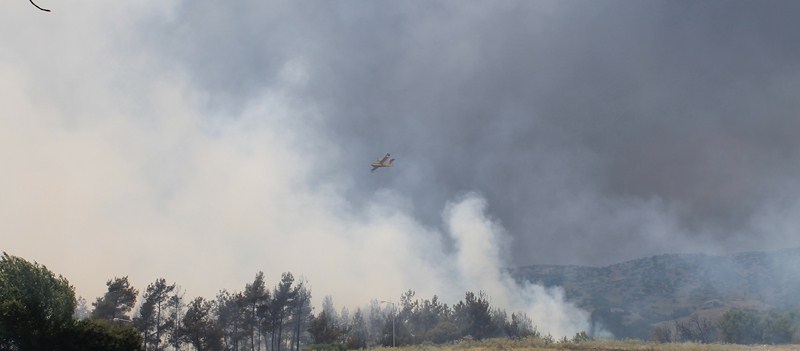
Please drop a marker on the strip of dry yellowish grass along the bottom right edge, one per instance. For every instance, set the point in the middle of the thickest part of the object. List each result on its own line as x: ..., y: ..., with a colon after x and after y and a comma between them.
x: 539, y: 344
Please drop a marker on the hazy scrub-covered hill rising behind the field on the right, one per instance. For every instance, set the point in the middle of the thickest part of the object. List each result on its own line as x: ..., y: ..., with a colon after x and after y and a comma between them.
x: 631, y: 298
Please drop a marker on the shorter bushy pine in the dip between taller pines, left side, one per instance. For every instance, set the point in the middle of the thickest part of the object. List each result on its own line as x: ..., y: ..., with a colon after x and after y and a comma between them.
x: 199, y: 327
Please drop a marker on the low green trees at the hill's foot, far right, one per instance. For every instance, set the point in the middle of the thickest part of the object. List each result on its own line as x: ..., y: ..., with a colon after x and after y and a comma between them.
x: 736, y: 326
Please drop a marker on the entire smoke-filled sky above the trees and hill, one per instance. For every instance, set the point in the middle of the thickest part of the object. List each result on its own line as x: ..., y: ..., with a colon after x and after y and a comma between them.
x: 202, y: 141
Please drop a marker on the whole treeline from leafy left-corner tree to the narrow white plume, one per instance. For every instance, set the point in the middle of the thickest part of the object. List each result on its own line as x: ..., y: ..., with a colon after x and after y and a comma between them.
x: 38, y: 311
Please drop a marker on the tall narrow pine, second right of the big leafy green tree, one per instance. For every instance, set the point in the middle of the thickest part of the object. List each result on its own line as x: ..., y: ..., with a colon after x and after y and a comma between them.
x: 152, y: 320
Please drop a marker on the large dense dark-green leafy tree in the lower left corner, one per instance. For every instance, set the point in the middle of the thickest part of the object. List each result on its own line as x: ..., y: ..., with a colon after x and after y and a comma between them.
x: 36, y: 306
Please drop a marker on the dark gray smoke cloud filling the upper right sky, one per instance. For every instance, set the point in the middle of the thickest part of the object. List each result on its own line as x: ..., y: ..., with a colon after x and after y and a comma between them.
x: 598, y: 132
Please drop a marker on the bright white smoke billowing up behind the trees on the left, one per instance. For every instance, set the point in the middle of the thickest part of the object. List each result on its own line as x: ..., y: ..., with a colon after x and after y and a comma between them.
x: 115, y: 163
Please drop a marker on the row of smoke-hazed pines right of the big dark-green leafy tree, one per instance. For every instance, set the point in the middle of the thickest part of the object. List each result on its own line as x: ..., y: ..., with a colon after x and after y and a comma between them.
x: 282, y: 319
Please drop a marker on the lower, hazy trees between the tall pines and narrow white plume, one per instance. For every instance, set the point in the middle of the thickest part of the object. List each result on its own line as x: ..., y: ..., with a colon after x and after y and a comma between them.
x: 413, y: 321
